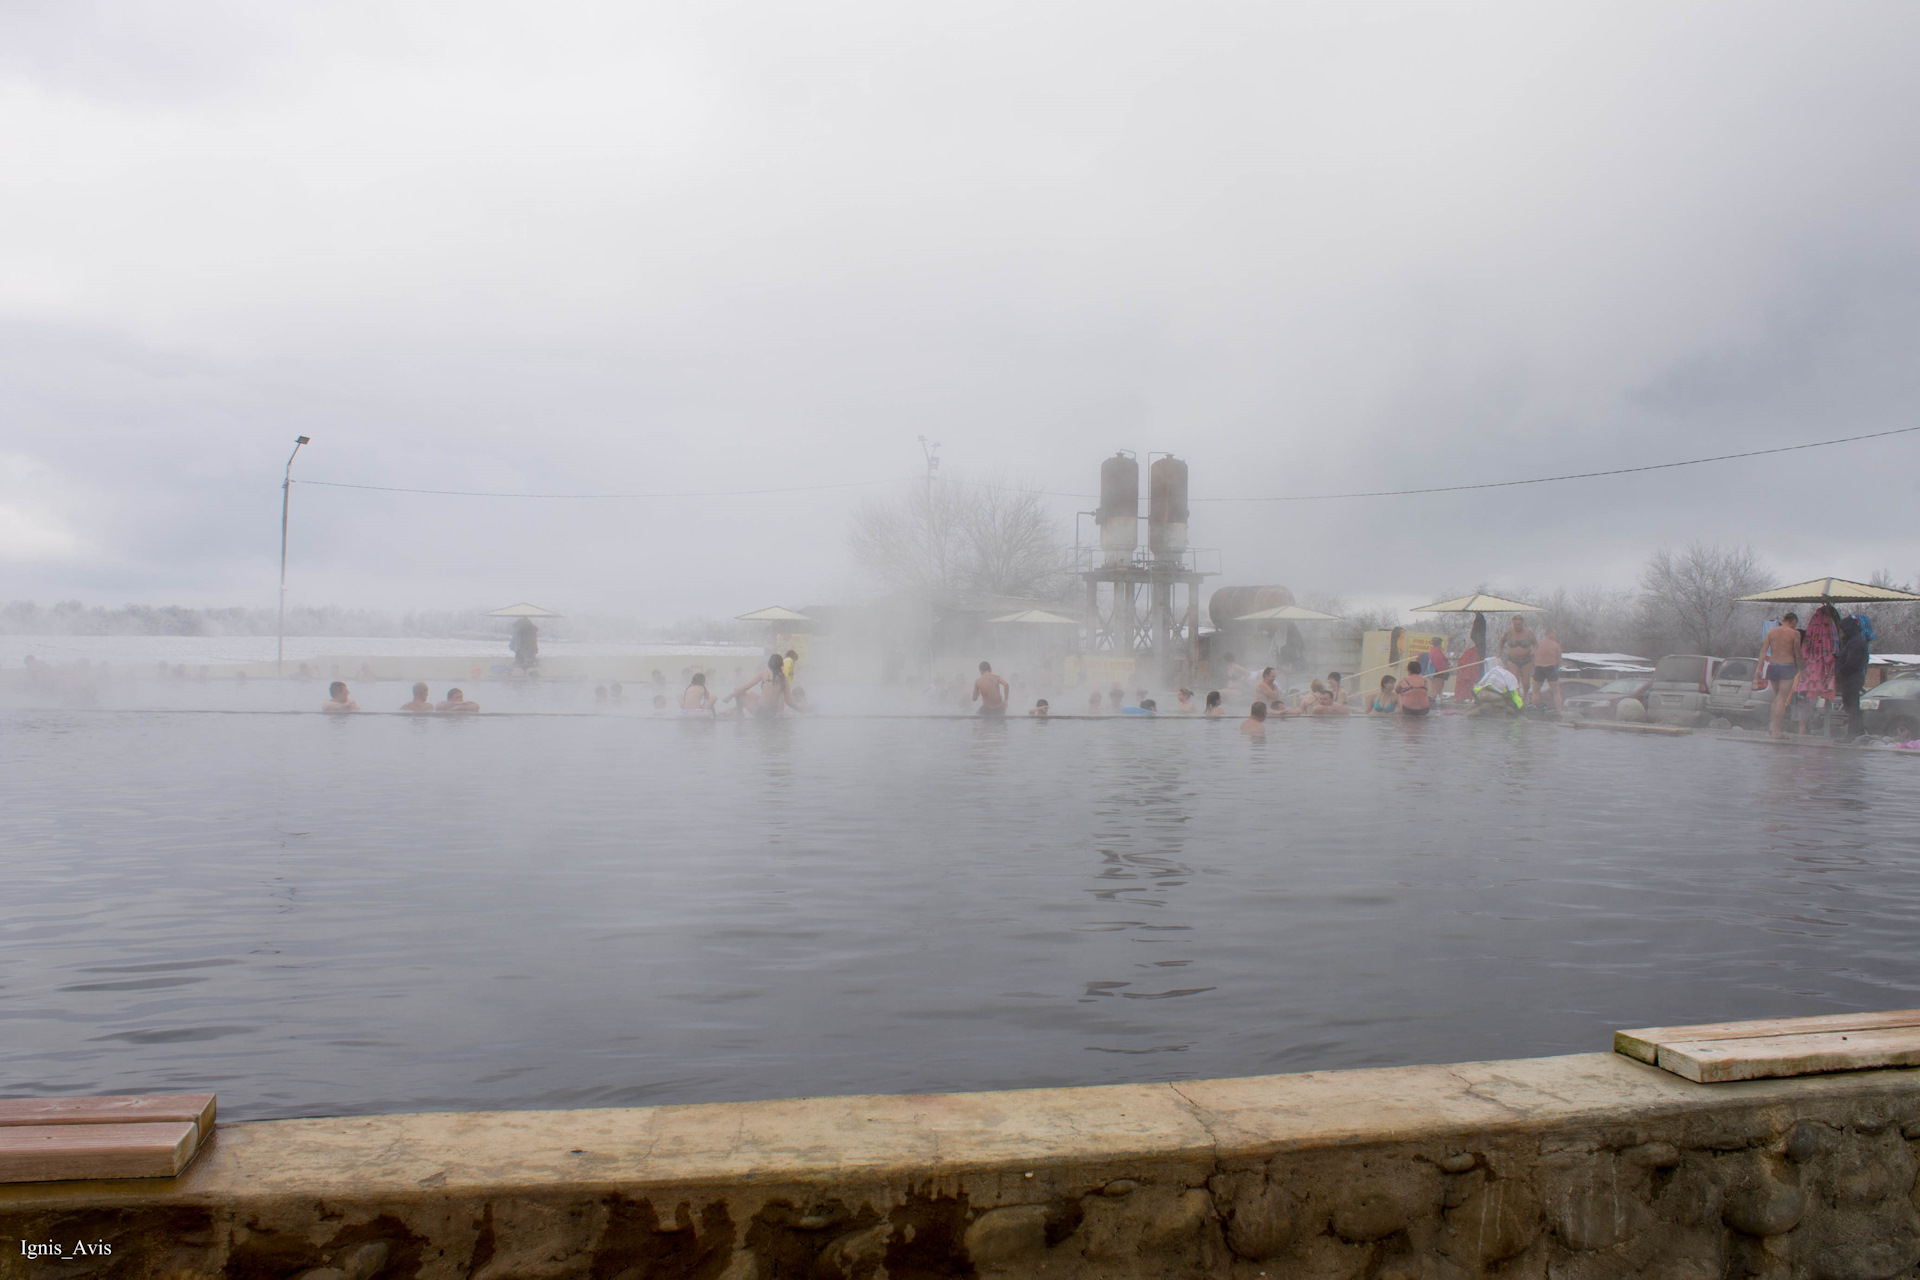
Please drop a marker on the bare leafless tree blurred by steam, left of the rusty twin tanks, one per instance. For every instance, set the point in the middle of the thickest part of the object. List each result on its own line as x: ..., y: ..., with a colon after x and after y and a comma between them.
x: 961, y: 538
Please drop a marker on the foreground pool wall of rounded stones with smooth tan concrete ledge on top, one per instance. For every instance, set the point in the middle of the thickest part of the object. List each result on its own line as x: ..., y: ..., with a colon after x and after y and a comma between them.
x: 1589, y: 1166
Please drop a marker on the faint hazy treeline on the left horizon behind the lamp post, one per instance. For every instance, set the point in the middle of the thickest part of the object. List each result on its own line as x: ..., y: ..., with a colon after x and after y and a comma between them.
x: 76, y: 619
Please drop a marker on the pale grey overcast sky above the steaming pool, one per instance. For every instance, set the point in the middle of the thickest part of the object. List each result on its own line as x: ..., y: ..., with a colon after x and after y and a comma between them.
x: 734, y: 247
